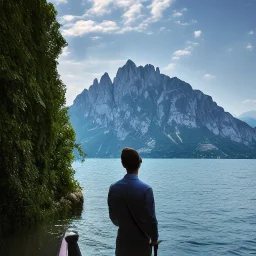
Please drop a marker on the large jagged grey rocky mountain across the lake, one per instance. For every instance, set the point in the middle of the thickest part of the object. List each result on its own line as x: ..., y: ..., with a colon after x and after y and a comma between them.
x: 159, y: 116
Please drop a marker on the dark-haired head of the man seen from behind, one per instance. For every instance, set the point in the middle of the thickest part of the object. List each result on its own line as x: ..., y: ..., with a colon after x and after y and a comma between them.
x: 131, y: 160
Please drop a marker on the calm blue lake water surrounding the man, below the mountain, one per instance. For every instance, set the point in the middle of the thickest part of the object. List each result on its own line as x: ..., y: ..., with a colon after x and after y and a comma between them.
x: 204, y: 207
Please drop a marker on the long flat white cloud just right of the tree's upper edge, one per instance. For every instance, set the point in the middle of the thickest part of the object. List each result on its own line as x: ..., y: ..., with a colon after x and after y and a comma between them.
x: 85, y: 27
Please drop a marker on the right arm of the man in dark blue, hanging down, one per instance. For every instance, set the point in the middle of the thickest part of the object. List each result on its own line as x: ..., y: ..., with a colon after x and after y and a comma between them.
x: 152, y: 221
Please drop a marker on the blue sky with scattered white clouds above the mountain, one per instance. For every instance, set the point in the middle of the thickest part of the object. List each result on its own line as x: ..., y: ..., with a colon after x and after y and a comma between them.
x: 210, y: 44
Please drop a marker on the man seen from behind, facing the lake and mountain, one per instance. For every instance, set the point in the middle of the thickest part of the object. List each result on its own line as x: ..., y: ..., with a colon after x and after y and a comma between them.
x: 132, y: 209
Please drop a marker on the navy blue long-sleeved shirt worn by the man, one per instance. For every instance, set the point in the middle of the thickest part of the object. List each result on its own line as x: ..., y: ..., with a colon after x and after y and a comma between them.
x: 140, y: 198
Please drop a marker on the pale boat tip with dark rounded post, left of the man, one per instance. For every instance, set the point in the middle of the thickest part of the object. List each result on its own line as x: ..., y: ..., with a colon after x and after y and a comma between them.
x: 69, y: 245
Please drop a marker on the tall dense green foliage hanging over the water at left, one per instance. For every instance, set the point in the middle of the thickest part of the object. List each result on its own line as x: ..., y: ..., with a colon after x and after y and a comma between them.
x: 36, y: 138
